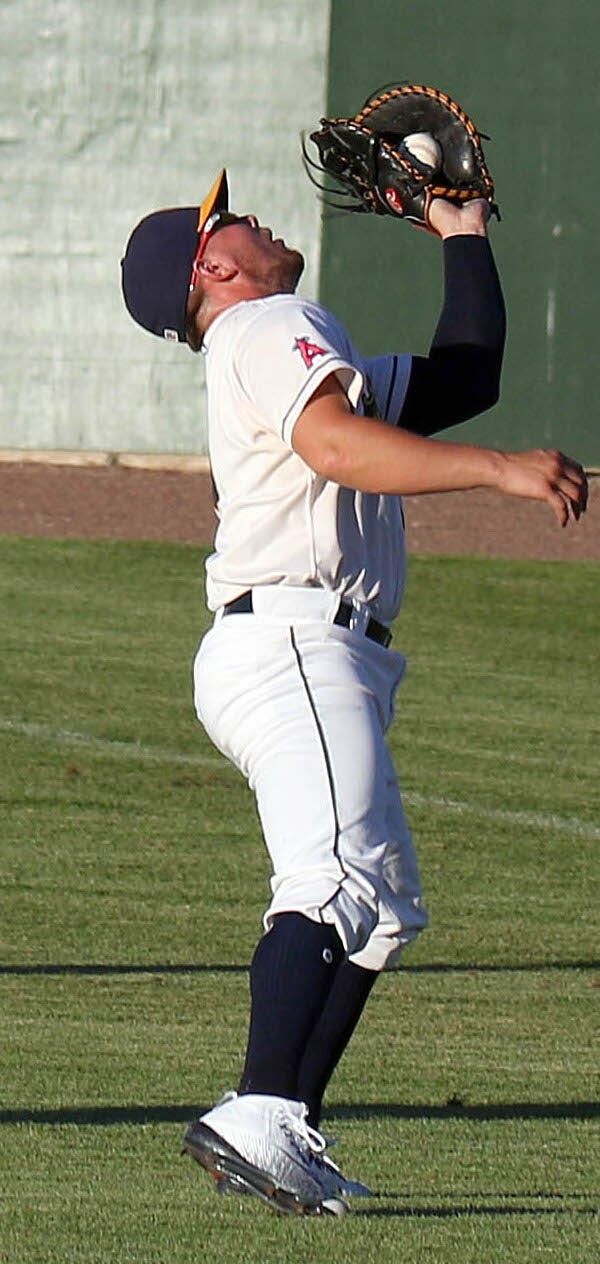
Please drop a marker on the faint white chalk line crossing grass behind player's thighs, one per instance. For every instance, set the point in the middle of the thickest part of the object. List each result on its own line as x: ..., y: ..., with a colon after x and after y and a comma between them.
x: 550, y: 822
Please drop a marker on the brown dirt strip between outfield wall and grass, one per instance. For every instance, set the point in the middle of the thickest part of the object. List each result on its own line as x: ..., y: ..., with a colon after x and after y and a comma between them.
x: 113, y: 502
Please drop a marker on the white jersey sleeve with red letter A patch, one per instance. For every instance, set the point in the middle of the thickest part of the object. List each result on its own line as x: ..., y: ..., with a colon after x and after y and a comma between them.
x: 282, y: 360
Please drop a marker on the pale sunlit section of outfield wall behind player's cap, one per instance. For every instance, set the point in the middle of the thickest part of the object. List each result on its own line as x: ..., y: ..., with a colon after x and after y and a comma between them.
x: 111, y: 109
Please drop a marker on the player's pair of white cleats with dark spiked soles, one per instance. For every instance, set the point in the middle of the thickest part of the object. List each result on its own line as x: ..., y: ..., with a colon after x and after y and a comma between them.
x: 263, y: 1146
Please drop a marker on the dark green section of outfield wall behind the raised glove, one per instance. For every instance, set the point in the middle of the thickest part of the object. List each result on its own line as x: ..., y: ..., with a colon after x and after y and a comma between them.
x: 529, y: 73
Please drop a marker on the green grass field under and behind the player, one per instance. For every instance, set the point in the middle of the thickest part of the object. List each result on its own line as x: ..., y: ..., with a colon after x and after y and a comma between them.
x: 133, y: 888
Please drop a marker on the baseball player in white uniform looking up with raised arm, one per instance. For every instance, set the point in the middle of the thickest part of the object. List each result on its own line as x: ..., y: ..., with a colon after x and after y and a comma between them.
x: 313, y: 447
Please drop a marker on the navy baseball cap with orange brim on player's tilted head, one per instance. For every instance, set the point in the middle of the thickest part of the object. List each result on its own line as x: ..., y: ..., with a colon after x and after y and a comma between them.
x: 157, y: 266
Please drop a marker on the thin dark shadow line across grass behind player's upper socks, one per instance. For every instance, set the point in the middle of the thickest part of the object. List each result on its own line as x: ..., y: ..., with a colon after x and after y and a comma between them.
x: 220, y: 969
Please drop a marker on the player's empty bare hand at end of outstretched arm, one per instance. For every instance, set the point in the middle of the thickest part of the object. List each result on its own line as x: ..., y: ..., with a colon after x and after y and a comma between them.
x: 546, y: 476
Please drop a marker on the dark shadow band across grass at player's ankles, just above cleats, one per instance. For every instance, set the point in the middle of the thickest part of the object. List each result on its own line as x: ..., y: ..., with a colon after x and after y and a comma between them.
x: 109, y: 1117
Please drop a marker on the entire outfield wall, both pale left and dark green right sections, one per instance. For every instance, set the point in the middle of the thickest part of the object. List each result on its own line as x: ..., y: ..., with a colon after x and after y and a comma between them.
x: 111, y: 109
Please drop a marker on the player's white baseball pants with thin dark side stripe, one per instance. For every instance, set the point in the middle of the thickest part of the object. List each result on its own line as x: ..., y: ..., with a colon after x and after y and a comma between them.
x: 301, y: 707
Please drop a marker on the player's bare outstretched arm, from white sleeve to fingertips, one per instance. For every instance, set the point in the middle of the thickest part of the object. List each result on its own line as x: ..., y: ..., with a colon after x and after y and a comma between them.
x: 371, y: 456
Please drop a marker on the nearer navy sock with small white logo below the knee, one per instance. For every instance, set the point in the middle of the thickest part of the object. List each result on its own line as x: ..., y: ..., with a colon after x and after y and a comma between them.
x: 291, y: 975
